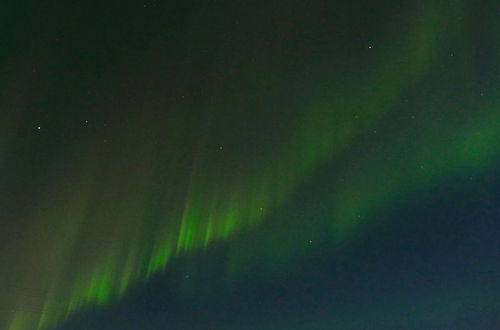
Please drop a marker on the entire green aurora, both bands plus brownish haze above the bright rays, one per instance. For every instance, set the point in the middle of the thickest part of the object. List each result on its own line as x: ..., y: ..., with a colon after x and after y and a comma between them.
x: 94, y: 260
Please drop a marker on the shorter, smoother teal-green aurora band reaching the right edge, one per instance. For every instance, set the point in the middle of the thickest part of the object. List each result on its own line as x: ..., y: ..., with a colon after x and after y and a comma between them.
x: 468, y: 150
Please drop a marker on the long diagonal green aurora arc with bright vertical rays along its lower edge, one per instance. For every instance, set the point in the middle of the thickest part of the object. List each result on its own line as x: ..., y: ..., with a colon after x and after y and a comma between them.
x: 328, y: 128
